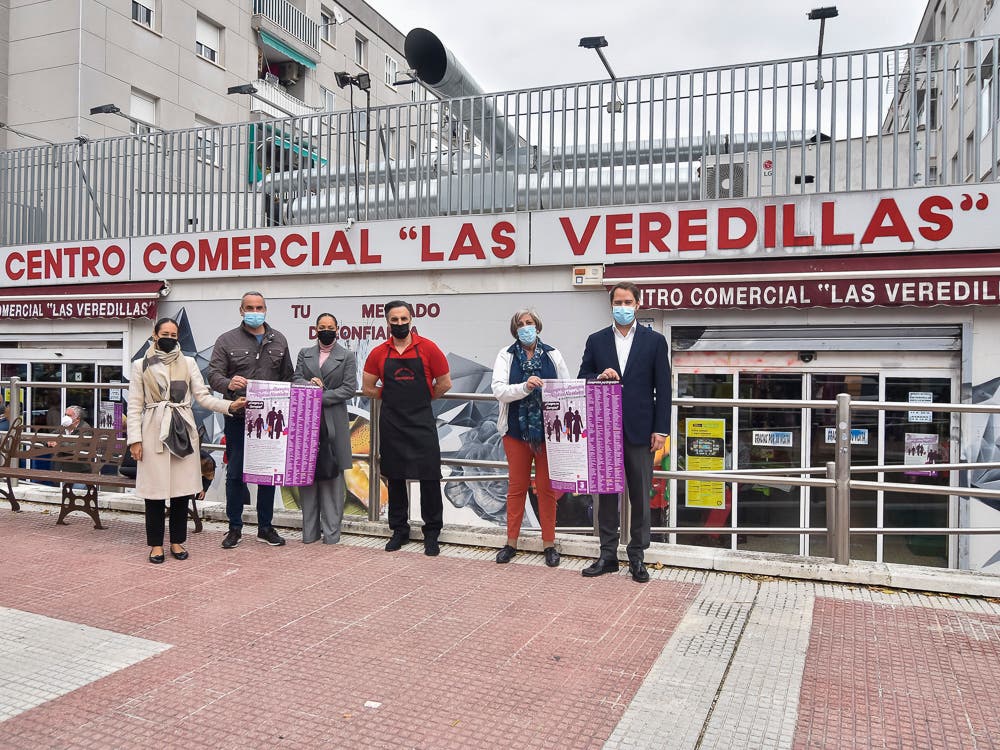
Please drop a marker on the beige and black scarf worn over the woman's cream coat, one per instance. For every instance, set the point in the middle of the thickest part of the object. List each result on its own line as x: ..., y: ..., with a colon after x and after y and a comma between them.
x: 166, y: 380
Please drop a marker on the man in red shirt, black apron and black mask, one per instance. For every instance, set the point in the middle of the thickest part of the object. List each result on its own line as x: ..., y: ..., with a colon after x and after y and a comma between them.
x: 413, y: 371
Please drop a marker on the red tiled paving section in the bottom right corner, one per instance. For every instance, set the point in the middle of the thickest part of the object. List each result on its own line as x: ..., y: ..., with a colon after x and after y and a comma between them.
x: 879, y: 676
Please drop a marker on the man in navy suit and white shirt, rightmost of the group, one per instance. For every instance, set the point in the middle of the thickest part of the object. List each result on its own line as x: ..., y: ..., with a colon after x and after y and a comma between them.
x: 636, y: 356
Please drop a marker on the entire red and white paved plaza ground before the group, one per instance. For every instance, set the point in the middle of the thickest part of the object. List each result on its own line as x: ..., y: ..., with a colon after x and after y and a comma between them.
x: 352, y: 647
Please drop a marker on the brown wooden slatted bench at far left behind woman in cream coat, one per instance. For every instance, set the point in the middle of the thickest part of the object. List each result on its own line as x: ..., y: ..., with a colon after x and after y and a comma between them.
x: 98, y: 453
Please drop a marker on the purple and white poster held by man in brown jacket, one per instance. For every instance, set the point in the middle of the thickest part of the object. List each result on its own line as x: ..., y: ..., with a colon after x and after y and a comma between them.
x: 282, y: 424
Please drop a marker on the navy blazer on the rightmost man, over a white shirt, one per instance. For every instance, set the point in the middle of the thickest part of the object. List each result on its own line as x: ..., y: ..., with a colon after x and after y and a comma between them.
x: 645, y: 382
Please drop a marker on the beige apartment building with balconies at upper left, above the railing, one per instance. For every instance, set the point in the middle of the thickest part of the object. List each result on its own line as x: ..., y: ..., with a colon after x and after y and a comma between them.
x: 168, y: 64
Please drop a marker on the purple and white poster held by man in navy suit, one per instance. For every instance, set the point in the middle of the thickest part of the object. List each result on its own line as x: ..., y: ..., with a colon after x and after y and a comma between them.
x: 583, y: 435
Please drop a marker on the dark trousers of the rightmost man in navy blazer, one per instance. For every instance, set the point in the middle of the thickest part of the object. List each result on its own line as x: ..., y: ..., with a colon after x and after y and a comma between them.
x: 639, y: 478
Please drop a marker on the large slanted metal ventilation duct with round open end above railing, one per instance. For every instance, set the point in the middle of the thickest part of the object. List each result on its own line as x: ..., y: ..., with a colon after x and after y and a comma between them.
x: 437, y: 68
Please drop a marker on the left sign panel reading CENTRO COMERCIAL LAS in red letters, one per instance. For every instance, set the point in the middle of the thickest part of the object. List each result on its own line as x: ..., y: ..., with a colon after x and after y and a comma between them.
x: 436, y: 244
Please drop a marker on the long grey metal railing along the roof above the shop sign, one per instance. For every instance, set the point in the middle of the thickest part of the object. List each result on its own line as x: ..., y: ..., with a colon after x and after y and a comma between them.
x: 913, y: 115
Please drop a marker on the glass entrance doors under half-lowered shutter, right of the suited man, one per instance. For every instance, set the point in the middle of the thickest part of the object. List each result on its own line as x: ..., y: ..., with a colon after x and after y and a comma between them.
x: 788, y: 437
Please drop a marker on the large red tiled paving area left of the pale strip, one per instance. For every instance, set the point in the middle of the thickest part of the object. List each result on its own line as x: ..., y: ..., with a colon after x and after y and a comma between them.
x: 282, y: 647
